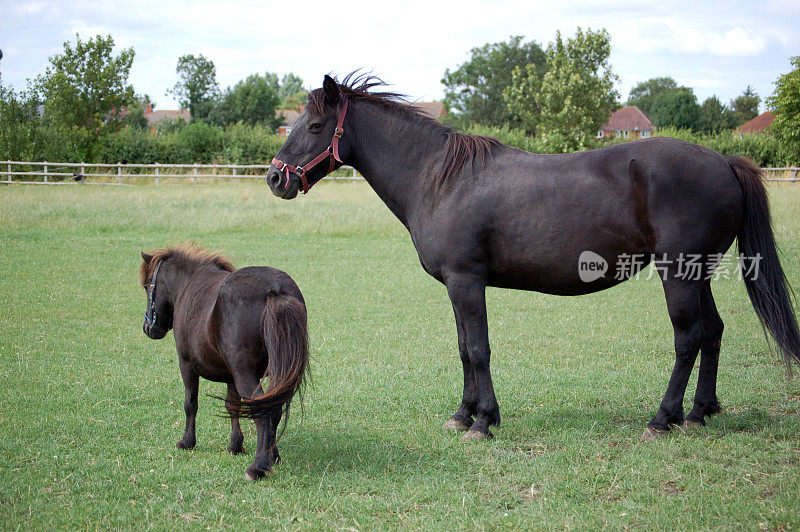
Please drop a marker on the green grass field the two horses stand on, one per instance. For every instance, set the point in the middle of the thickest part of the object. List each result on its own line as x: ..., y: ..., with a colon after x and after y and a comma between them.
x: 91, y: 409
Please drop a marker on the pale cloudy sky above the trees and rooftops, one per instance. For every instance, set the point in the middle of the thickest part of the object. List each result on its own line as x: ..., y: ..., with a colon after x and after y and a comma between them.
x: 716, y: 48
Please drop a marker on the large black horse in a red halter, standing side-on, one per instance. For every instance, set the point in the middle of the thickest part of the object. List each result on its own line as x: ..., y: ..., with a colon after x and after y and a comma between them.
x: 481, y: 213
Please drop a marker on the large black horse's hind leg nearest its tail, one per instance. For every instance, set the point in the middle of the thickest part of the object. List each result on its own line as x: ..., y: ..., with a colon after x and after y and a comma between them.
x: 705, y: 399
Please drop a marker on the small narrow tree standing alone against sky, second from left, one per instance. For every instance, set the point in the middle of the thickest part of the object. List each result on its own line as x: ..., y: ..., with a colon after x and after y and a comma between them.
x: 197, y: 89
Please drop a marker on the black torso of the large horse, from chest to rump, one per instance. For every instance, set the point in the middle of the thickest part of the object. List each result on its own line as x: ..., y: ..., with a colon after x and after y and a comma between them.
x: 530, y: 217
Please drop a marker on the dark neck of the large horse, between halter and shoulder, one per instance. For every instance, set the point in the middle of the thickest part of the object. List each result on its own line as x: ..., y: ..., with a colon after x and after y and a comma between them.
x: 396, y: 155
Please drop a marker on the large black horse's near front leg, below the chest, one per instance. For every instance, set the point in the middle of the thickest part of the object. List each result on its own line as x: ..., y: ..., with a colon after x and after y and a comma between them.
x: 467, y: 293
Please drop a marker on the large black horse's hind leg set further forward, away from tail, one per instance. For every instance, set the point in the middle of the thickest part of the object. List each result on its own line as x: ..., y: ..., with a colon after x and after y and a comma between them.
x: 683, y: 305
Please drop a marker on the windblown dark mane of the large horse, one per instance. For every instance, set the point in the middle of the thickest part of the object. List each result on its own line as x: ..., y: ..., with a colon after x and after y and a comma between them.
x: 460, y: 147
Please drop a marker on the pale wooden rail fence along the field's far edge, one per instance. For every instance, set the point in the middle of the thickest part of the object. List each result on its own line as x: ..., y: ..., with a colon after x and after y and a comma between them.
x: 113, y: 174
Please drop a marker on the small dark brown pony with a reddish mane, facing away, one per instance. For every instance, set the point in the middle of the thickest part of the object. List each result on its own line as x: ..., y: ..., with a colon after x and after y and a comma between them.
x: 232, y: 326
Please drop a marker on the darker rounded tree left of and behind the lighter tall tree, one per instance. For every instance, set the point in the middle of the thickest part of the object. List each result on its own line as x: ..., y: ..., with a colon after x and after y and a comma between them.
x: 475, y: 89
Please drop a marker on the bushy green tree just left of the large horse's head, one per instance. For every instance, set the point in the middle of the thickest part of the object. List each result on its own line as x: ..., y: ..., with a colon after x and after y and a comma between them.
x: 252, y: 101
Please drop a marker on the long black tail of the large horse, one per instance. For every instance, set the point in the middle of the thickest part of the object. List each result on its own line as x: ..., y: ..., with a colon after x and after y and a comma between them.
x: 764, y: 278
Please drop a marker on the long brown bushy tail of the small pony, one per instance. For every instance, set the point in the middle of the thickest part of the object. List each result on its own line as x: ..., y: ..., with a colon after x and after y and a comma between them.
x: 285, y: 334
